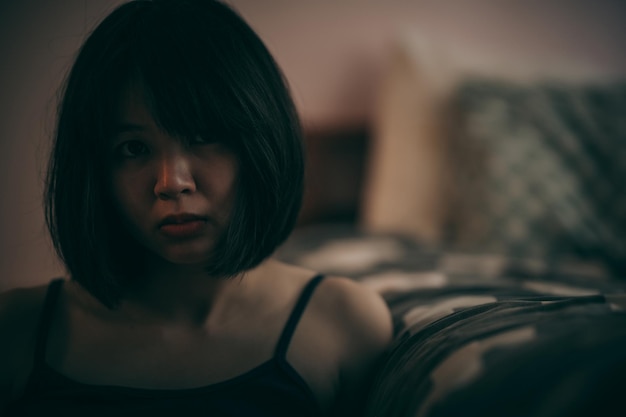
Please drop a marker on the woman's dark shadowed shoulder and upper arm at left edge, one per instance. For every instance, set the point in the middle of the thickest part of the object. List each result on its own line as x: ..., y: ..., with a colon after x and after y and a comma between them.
x: 20, y: 311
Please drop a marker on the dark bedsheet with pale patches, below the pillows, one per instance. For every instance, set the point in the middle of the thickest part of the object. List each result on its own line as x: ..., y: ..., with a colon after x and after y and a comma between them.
x: 481, y: 334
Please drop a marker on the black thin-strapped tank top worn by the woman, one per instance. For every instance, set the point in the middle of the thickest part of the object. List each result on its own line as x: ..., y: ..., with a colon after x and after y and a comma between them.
x: 272, y: 389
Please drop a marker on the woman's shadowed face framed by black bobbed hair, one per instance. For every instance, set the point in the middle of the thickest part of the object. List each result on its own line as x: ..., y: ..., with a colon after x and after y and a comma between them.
x: 174, y: 196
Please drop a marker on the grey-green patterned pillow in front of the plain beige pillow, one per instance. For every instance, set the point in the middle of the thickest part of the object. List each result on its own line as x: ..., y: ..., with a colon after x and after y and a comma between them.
x: 540, y: 170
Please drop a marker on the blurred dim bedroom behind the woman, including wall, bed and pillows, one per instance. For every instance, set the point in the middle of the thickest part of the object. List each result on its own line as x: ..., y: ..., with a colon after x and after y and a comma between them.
x: 467, y: 160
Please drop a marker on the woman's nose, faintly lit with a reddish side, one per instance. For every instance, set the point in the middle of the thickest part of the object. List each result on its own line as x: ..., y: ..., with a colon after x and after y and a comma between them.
x: 174, y: 177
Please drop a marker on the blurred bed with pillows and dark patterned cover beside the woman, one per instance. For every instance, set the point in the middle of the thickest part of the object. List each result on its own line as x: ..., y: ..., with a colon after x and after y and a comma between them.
x: 493, y: 222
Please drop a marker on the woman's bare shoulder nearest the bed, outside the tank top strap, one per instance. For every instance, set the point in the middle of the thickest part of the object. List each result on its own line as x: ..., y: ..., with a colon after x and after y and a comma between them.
x: 350, y: 325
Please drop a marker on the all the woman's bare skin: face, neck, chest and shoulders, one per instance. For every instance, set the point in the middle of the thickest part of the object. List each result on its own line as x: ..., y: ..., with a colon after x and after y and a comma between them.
x: 179, y: 328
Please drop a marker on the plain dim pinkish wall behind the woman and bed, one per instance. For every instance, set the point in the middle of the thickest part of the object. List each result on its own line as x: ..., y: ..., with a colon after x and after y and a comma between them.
x: 332, y: 51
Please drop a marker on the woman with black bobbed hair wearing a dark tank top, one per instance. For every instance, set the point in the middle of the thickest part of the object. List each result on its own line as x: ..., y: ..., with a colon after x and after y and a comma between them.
x: 176, y: 171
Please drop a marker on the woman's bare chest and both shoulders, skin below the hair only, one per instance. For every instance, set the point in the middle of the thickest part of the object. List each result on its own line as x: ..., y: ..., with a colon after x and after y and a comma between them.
x: 341, y: 335
